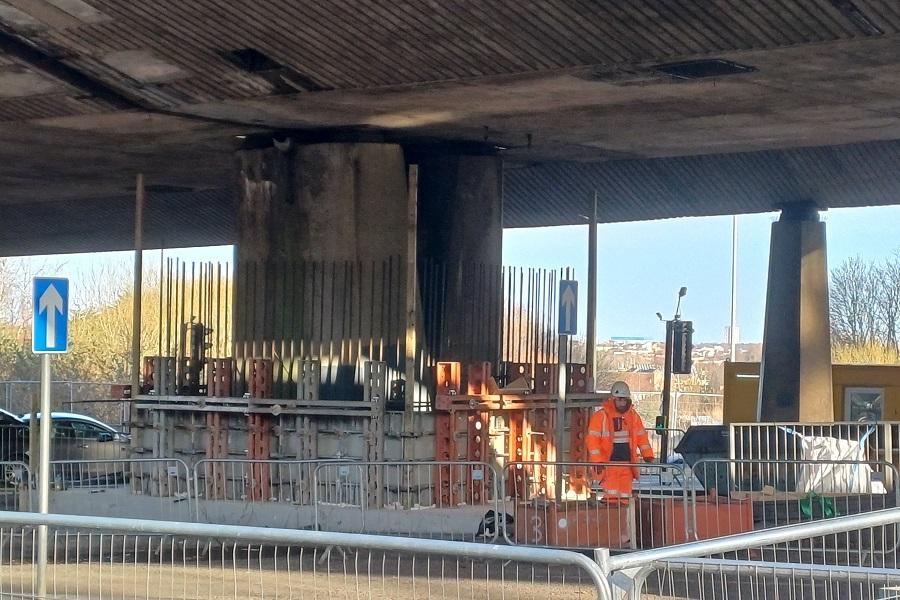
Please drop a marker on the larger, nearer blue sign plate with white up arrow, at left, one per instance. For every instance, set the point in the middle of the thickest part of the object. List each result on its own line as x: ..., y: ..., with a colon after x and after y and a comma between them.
x: 50, y: 331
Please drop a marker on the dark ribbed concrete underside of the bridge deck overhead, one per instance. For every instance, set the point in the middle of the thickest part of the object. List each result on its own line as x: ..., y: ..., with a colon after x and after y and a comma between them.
x: 691, y: 108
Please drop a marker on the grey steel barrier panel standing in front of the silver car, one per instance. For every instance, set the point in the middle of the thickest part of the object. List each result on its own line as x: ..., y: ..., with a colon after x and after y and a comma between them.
x: 148, y: 488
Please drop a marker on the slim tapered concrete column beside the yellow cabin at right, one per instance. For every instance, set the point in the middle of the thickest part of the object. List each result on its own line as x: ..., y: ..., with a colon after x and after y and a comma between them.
x: 795, y: 374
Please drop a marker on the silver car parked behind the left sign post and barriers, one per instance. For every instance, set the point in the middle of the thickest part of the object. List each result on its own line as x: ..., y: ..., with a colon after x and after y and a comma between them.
x: 80, y: 438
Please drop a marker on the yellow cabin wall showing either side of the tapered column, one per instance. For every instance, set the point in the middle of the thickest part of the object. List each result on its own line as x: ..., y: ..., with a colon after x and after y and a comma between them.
x: 742, y: 389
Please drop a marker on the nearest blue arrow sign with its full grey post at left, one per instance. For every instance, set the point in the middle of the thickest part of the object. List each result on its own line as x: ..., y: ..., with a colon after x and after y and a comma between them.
x: 49, y: 335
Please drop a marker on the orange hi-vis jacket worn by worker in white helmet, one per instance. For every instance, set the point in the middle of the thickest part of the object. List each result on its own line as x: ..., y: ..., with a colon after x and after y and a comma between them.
x: 608, y: 427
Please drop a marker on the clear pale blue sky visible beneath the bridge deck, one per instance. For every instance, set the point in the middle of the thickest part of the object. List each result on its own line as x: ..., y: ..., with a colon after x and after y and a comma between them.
x: 640, y: 265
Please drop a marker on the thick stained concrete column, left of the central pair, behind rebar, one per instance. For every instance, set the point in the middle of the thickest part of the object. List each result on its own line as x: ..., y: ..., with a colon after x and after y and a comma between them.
x: 320, y: 262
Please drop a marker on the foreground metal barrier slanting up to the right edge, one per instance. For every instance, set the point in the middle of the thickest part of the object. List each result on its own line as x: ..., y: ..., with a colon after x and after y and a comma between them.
x: 673, y: 572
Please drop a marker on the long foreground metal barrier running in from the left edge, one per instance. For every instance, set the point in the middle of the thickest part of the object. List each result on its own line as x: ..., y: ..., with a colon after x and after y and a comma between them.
x: 153, y: 559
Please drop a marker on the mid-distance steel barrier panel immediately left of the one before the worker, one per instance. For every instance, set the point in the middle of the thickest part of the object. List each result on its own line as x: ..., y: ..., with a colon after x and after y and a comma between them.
x: 402, y: 498
